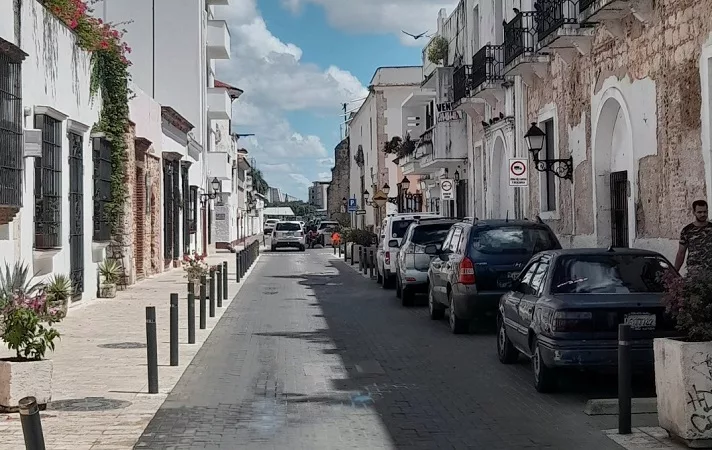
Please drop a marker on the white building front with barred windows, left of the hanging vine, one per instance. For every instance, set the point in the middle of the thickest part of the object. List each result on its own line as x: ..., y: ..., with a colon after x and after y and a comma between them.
x: 47, y: 190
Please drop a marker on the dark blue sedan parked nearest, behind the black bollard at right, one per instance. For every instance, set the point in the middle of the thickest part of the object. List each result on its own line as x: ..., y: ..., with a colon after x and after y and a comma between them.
x: 565, y: 307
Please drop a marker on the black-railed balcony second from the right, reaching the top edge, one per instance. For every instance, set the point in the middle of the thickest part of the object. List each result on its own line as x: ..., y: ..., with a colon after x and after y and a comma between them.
x: 559, y: 31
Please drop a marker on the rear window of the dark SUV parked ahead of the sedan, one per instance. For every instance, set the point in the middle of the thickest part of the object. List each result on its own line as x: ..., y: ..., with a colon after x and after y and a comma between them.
x: 513, y: 239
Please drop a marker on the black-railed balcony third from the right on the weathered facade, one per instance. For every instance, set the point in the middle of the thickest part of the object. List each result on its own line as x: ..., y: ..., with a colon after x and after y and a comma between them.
x: 520, y: 44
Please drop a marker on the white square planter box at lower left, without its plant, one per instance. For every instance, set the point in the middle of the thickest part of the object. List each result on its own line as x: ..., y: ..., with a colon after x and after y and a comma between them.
x: 25, y: 379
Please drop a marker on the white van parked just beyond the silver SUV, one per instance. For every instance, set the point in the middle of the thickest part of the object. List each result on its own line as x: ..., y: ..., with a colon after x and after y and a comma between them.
x: 393, y: 230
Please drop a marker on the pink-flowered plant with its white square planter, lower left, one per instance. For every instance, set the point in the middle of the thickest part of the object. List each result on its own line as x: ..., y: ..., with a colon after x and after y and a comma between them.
x: 26, y: 319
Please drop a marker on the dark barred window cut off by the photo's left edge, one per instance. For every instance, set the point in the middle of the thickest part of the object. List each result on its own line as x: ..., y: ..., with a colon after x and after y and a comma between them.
x: 11, y: 117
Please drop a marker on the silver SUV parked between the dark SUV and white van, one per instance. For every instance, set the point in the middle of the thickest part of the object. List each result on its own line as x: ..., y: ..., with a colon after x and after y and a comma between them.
x: 412, y: 263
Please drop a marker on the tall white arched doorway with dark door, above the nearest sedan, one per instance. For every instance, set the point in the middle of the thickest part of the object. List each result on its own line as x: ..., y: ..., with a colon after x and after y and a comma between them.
x: 614, y: 174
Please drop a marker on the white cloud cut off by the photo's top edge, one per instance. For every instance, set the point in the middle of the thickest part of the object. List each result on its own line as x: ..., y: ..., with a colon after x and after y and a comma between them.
x: 379, y: 16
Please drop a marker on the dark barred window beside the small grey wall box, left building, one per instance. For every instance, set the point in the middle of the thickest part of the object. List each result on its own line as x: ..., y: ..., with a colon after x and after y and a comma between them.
x: 48, y: 185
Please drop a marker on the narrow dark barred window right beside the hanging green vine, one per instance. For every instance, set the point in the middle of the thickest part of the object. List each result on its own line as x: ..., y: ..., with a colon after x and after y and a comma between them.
x: 101, y: 157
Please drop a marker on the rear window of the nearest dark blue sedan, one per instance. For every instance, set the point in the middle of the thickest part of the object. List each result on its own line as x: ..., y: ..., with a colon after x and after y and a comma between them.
x: 609, y: 274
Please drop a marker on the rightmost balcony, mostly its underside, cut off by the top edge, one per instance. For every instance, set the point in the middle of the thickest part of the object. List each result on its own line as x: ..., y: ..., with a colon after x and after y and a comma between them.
x: 610, y: 13
